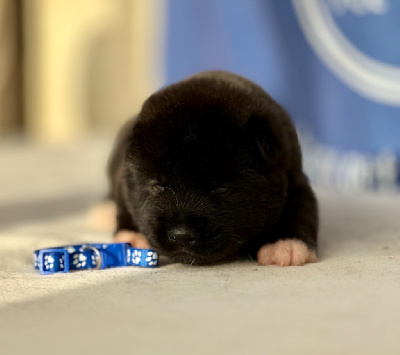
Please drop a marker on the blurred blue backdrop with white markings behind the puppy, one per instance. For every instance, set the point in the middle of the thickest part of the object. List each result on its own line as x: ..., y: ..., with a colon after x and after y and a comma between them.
x: 333, y: 64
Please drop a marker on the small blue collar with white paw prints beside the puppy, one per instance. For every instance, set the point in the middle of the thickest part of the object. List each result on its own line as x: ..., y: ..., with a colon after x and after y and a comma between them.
x: 92, y: 256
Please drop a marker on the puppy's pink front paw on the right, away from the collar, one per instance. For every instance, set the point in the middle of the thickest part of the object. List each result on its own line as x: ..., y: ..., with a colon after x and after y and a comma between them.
x: 285, y: 253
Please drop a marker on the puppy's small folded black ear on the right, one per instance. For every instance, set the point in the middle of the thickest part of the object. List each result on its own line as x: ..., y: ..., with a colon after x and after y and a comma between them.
x: 268, y: 139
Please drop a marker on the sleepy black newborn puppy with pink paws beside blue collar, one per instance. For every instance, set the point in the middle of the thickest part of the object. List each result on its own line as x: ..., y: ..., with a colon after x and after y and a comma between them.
x: 211, y: 169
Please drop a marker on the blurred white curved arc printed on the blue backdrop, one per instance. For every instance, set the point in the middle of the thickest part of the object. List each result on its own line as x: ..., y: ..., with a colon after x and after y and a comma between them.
x: 373, y: 79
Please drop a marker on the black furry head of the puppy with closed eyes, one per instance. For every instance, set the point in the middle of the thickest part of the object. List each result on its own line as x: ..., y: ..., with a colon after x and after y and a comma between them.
x: 205, y: 171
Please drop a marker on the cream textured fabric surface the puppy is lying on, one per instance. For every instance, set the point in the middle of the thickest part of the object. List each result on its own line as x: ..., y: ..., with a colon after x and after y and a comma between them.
x: 348, y: 302
